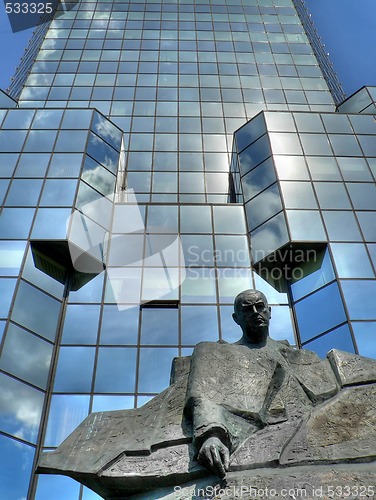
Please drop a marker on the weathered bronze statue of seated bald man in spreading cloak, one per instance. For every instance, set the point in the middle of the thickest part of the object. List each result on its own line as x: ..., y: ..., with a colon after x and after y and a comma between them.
x: 255, y: 413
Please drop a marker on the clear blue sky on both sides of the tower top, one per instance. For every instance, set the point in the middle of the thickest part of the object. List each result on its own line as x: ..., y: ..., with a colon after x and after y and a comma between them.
x: 346, y: 27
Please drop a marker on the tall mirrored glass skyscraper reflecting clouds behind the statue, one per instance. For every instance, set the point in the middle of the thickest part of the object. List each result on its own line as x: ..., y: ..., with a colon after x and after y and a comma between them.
x: 156, y: 158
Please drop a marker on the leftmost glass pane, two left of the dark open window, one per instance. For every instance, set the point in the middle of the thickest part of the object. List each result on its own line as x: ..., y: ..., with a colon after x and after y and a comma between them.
x: 81, y: 324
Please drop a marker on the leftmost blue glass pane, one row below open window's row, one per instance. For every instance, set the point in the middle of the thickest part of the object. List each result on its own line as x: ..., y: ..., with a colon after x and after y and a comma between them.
x: 75, y: 369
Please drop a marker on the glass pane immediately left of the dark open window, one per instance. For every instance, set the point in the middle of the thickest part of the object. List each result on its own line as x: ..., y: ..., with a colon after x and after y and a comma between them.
x: 119, y: 326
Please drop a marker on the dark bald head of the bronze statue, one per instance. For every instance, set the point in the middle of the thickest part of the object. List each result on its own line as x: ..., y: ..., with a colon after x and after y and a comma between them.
x: 252, y: 313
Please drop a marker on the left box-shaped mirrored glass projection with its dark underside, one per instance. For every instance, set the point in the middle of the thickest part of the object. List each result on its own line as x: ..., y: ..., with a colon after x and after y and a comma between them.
x: 64, y: 180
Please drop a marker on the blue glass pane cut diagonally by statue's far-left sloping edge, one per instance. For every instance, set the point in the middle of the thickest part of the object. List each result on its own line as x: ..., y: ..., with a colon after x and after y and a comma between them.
x: 66, y: 413
